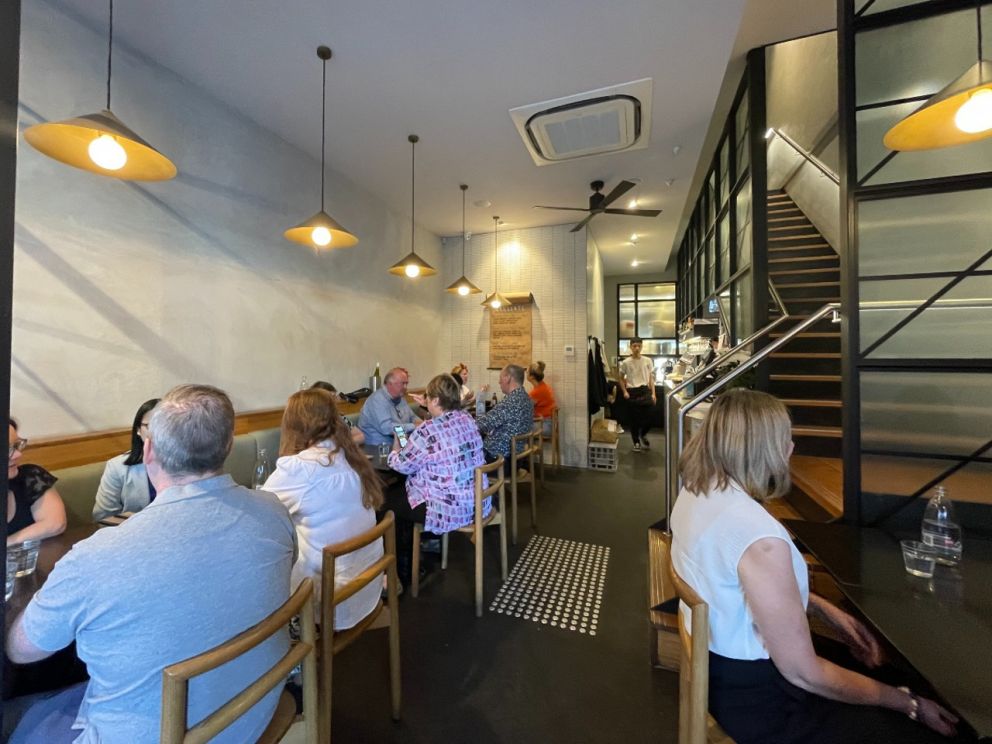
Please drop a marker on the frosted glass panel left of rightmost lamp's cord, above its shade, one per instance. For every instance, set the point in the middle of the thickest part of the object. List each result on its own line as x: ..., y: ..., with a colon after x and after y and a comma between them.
x: 913, y: 59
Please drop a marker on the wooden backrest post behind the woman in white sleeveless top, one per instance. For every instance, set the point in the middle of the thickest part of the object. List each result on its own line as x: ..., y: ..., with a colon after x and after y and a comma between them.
x: 694, y: 675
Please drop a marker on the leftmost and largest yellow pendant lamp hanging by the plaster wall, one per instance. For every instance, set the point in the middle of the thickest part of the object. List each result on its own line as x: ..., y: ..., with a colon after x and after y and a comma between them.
x: 101, y: 143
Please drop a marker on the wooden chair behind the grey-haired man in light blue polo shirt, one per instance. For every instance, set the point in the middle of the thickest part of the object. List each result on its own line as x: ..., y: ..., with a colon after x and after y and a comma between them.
x: 176, y: 678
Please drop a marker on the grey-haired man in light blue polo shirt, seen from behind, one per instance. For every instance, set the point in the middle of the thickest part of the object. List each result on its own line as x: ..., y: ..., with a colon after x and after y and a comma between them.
x: 204, y: 561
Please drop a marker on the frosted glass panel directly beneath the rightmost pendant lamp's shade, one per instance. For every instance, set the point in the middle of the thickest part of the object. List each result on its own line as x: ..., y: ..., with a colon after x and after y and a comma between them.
x: 912, y: 166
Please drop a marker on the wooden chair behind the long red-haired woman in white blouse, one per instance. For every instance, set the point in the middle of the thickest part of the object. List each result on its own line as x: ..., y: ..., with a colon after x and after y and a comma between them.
x: 382, y: 616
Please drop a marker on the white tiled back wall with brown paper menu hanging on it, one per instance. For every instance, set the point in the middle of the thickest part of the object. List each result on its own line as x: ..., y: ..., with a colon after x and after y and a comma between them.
x: 550, y: 263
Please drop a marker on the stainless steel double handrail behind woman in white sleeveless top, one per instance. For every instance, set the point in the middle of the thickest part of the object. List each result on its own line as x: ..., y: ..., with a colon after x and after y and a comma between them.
x: 672, y: 479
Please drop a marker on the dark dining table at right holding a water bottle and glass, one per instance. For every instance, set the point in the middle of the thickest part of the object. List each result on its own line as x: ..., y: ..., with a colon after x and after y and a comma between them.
x: 941, y: 626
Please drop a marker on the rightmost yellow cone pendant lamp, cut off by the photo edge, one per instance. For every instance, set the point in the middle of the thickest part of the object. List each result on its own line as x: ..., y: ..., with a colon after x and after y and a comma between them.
x: 958, y: 114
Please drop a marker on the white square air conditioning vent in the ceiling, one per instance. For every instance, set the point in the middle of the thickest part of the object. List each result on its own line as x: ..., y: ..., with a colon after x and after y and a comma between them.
x: 593, y: 123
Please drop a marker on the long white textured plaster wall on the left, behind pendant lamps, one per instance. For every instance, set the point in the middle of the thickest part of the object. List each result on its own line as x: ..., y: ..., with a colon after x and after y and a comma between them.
x: 122, y: 290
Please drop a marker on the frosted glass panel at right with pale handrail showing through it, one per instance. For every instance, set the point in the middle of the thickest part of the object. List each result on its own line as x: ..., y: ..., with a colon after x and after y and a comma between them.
x: 959, y: 325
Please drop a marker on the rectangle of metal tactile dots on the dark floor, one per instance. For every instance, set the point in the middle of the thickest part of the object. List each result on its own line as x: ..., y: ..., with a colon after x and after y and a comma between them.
x: 556, y: 582
